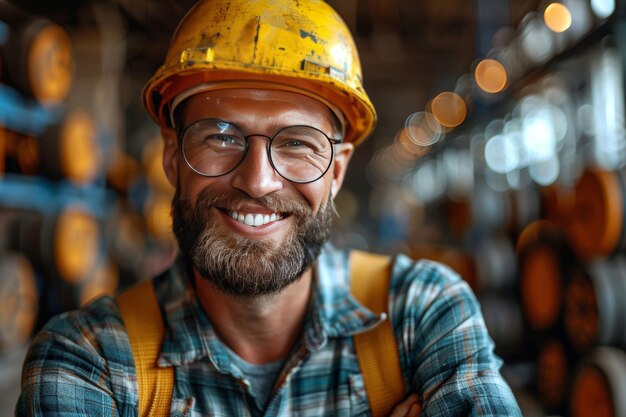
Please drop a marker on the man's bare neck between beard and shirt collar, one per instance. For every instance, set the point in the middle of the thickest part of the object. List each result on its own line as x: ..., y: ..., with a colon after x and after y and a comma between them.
x: 262, y: 329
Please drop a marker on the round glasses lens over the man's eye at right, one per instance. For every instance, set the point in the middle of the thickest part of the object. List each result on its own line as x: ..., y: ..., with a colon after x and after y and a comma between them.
x: 301, y: 153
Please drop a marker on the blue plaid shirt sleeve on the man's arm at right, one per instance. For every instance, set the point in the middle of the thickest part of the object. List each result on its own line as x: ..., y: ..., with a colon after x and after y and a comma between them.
x: 446, y: 352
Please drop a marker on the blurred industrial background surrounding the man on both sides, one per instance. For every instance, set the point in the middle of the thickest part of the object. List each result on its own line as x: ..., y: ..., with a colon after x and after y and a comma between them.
x: 500, y: 150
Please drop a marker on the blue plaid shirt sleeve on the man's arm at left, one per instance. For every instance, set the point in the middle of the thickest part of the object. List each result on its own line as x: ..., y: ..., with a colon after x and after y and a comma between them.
x: 65, y: 373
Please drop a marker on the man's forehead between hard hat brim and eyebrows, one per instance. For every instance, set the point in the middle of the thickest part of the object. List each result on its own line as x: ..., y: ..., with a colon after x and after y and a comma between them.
x: 257, y: 108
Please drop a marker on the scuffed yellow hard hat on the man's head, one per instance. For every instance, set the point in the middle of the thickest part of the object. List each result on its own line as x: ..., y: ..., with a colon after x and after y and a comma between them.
x: 294, y: 45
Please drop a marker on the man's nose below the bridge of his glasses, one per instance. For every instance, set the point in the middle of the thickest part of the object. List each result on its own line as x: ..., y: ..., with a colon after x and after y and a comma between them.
x: 255, y: 175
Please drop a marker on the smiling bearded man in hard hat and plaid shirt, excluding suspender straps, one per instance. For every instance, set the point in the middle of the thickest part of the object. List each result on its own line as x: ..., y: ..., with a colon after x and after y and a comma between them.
x: 260, y: 104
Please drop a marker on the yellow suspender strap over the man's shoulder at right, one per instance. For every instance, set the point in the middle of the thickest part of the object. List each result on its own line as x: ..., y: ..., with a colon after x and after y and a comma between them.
x: 376, y: 349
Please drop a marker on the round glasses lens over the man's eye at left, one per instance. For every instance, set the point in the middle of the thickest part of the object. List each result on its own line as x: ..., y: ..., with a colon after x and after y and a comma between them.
x: 213, y: 147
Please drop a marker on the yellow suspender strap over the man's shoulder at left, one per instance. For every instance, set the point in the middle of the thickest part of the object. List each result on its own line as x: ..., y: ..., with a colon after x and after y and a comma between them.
x: 144, y: 324
